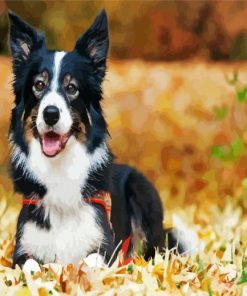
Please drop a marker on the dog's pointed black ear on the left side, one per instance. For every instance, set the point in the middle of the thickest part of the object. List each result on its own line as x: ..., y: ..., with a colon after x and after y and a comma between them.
x: 23, y: 39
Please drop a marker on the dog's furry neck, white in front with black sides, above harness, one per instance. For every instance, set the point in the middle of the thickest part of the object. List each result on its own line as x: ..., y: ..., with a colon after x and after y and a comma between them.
x: 66, y: 178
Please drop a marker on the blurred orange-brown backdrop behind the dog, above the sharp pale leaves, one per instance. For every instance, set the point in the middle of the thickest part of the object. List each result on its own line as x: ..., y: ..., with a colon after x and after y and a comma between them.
x: 175, y: 91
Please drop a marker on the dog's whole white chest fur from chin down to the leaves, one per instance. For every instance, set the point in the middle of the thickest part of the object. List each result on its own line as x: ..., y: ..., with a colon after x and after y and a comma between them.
x: 74, y: 229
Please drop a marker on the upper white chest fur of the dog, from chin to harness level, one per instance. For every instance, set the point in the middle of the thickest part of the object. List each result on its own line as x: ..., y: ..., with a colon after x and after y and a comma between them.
x: 65, y: 175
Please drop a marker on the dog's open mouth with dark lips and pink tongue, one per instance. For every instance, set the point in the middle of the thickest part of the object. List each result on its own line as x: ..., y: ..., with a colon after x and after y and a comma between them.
x: 53, y: 143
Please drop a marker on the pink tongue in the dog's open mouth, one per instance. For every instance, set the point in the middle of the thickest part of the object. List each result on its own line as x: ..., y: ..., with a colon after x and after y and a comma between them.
x: 51, y: 144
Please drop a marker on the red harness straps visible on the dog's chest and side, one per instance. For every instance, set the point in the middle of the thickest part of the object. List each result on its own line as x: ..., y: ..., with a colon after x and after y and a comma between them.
x: 102, y: 198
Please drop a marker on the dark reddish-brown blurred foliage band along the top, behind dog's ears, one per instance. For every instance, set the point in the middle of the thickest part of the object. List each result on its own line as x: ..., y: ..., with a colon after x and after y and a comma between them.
x: 152, y: 30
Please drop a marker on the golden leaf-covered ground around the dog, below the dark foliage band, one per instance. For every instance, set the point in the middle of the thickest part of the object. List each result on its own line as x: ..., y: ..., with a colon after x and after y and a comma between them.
x: 184, y: 125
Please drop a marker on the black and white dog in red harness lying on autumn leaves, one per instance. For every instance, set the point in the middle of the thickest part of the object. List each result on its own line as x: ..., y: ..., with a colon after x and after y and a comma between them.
x: 60, y: 156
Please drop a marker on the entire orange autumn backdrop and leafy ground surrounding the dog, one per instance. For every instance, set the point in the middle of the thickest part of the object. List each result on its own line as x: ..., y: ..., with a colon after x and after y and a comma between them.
x: 175, y: 97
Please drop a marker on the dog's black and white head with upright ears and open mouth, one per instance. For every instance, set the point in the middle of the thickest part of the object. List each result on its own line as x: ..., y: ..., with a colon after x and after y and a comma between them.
x: 58, y: 93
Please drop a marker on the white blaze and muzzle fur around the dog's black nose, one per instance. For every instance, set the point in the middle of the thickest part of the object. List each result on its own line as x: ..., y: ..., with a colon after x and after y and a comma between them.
x: 53, y: 98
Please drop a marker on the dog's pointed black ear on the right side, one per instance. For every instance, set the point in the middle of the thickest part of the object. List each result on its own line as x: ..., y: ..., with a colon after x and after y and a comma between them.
x: 94, y: 43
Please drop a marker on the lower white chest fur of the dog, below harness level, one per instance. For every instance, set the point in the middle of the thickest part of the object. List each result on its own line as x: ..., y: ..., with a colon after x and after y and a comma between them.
x: 70, y: 239
